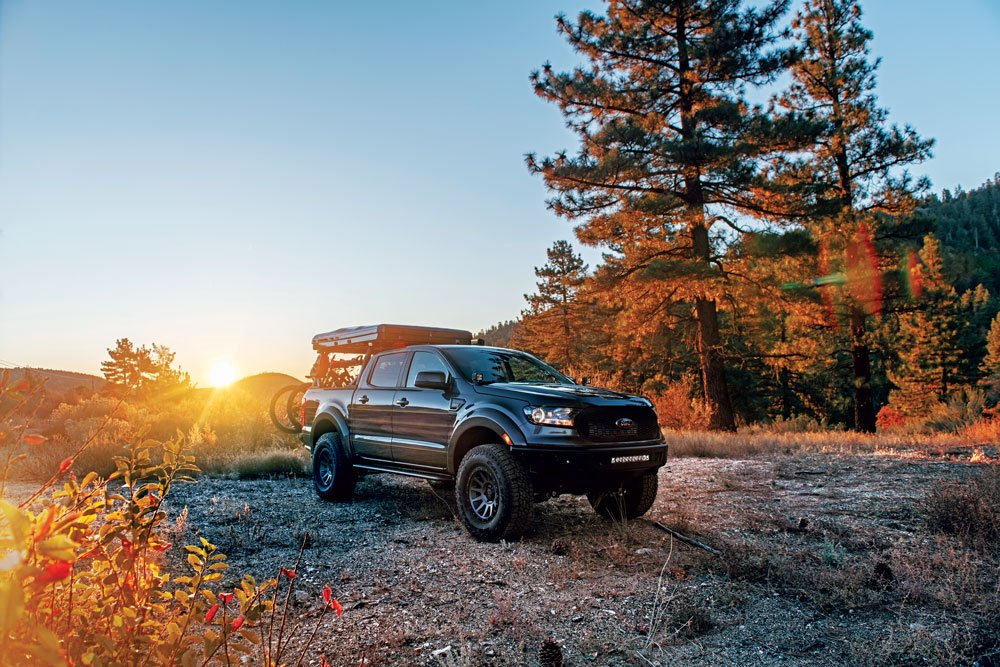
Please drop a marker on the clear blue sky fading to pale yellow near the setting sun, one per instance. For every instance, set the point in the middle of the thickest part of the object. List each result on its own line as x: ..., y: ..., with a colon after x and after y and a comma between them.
x: 228, y: 178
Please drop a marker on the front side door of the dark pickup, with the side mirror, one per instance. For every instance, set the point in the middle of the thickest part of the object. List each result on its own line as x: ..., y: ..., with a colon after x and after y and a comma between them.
x: 424, y: 418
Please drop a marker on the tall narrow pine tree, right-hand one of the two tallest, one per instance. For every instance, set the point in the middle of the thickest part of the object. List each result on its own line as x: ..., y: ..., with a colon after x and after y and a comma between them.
x: 853, y: 172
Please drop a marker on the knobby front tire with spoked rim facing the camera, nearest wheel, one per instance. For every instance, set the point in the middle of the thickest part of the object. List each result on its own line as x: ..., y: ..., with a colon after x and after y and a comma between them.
x: 493, y: 493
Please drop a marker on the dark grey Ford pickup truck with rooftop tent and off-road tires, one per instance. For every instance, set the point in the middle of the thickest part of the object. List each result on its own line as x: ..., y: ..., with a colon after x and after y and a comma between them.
x: 502, y: 427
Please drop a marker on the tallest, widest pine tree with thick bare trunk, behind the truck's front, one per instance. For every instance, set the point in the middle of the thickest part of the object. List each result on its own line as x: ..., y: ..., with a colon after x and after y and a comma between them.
x: 666, y: 142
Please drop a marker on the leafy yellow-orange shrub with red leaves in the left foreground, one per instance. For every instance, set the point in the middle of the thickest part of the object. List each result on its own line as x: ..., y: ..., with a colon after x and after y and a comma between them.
x: 82, y: 582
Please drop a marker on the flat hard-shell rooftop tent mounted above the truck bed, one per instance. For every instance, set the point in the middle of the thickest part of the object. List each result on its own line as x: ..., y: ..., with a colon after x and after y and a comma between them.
x: 375, y: 337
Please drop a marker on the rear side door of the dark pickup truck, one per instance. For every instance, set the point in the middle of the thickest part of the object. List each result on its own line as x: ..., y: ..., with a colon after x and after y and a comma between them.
x: 372, y: 409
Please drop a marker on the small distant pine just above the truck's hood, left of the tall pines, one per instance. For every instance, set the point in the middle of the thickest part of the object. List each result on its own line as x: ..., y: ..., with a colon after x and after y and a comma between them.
x: 551, y: 326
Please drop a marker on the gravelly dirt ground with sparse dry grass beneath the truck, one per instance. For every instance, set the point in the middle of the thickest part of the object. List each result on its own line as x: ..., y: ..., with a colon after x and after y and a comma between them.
x: 825, y: 561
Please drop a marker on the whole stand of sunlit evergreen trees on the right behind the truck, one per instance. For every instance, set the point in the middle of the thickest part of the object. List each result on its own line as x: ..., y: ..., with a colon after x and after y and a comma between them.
x: 778, y: 261
